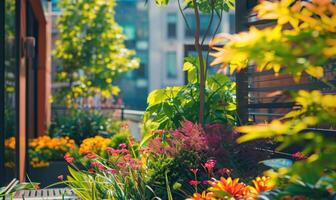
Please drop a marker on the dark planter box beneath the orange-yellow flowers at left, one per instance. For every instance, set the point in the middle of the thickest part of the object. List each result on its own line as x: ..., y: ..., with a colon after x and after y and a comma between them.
x: 48, y: 175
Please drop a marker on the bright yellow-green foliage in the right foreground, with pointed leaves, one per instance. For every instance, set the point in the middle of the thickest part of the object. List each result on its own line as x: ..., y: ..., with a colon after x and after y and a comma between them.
x: 314, y: 175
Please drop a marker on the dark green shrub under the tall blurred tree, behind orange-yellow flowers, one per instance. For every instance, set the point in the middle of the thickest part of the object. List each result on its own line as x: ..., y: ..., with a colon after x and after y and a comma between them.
x: 80, y: 124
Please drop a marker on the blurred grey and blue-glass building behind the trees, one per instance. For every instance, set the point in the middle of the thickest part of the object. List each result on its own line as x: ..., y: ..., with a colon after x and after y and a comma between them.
x: 161, y: 41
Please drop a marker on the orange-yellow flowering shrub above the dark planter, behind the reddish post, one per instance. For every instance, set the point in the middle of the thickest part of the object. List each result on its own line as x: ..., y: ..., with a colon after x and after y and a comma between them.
x: 42, y: 150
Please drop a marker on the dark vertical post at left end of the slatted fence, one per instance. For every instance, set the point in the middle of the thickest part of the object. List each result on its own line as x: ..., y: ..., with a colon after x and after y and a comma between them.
x: 241, y: 14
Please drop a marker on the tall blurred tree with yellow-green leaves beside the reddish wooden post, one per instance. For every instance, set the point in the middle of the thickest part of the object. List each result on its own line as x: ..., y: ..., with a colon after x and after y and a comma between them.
x: 90, y: 49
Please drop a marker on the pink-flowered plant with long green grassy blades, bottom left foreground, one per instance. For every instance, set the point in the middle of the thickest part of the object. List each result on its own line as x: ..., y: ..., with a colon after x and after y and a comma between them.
x: 121, y: 175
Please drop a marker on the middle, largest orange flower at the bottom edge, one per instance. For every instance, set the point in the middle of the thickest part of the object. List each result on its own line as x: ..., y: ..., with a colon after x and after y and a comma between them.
x: 232, y: 187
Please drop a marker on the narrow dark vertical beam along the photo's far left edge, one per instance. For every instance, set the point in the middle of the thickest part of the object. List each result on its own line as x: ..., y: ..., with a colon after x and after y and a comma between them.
x: 2, y: 92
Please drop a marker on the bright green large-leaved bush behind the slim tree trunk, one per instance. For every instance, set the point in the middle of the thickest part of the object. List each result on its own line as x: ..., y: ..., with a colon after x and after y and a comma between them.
x: 169, y: 106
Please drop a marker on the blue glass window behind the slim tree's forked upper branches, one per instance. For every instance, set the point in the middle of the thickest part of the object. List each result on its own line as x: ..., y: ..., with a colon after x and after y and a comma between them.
x: 204, y: 22
